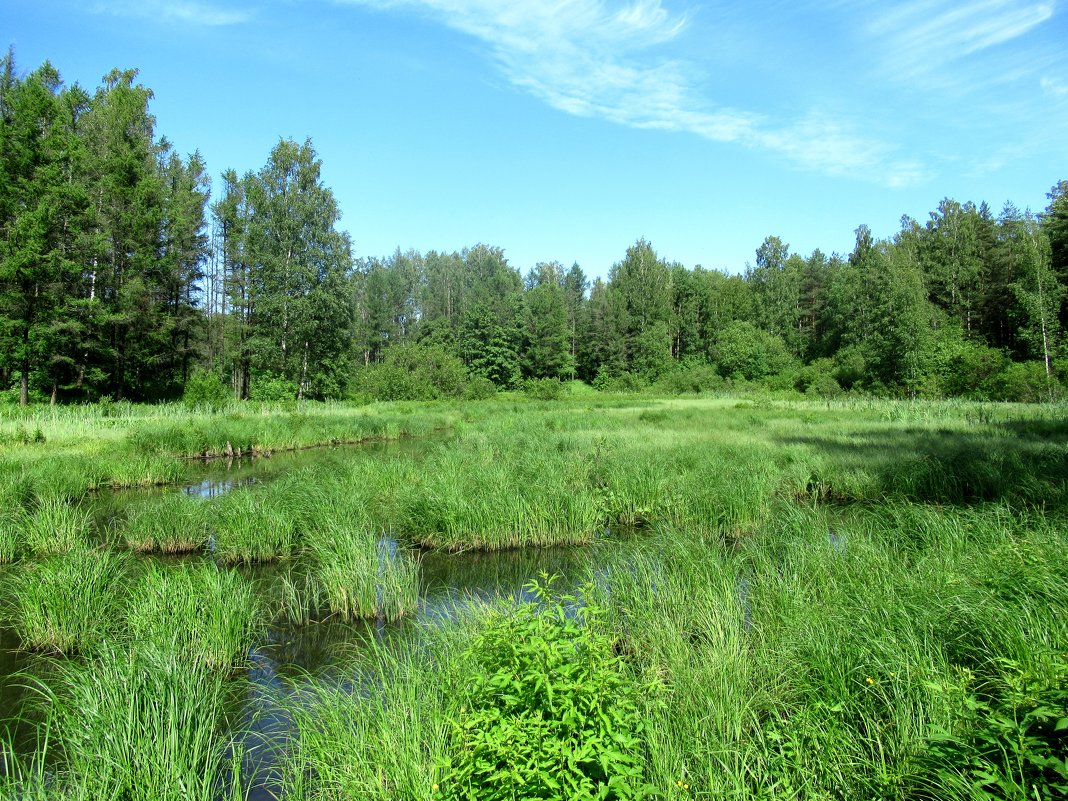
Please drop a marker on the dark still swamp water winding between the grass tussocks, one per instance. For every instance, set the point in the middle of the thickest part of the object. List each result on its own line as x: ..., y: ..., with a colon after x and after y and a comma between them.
x: 289, y: 656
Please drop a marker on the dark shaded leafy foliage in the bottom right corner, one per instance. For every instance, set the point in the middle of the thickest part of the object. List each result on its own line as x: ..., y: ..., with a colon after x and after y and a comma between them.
x: 1009, y: 737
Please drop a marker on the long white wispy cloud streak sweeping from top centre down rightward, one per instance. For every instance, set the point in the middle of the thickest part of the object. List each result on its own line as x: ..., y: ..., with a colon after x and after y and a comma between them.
x: 615, y: 61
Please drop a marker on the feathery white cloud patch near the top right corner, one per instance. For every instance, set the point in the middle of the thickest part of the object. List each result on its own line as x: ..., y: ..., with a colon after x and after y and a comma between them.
x: 920, y: 38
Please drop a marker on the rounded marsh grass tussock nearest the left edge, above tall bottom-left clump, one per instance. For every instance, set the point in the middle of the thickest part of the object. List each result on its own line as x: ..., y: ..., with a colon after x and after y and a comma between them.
x: 71, y: 603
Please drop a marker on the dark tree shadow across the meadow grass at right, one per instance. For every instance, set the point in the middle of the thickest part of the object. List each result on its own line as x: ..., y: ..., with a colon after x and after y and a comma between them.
x: 1023, y: 463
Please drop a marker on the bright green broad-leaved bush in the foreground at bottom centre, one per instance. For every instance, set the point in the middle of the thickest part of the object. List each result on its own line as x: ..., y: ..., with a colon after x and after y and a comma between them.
x: 549, y: 713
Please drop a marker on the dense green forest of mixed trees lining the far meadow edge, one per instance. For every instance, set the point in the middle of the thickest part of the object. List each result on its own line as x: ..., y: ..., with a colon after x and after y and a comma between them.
x: 119, y: 278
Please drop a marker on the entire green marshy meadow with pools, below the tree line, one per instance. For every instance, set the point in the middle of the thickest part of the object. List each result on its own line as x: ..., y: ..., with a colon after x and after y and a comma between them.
x: 596, y: 598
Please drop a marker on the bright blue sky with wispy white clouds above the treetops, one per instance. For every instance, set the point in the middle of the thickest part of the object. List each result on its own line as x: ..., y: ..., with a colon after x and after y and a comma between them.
x: 568, y: 130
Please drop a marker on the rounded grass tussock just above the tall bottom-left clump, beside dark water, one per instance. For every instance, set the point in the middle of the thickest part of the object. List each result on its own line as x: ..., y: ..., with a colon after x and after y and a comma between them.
x: 200, y: 612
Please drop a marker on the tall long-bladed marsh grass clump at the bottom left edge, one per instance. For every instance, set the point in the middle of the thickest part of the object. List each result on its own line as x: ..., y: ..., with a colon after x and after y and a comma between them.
x: 140, y: 725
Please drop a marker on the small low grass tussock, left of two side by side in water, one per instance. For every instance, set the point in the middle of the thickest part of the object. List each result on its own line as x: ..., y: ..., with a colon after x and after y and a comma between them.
x: 172, y: 524
